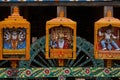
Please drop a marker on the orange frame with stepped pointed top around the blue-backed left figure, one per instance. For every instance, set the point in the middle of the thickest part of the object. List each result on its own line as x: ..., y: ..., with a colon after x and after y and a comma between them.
x: 18, y: 22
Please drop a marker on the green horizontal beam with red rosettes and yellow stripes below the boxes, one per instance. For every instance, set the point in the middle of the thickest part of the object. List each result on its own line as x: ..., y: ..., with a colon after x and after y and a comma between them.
x: 58, y: 71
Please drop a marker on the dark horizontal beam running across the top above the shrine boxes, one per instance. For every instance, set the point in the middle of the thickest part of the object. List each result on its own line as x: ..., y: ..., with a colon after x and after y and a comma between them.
x: 73, y: 3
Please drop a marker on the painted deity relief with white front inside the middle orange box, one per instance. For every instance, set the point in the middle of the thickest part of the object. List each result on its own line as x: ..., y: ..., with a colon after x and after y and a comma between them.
x: 61, y: 38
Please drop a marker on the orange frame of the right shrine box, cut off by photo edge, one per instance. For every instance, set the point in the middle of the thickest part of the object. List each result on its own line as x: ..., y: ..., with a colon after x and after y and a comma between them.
x: 103, y: 22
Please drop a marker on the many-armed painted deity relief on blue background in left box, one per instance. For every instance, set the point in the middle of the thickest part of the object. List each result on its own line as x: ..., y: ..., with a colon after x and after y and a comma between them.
x: 14, y: 39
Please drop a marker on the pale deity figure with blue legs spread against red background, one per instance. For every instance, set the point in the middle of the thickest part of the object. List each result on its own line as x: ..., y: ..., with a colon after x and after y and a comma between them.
x: 108, y: 41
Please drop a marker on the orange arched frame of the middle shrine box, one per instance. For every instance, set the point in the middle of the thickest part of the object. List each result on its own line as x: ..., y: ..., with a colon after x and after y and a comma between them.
x: 57, y: 22
